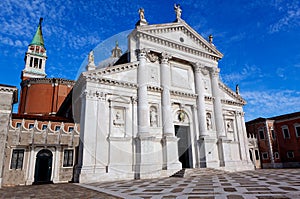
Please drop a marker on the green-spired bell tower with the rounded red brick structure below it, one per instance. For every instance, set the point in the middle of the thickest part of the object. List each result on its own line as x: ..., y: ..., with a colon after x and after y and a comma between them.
x: 40, y: 95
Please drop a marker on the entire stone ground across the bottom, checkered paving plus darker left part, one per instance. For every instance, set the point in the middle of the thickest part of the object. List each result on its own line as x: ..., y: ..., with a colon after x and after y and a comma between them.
x: 197, y: 183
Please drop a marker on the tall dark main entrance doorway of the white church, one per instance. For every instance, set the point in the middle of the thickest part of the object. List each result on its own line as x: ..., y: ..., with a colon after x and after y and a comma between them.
x: 184, y: 146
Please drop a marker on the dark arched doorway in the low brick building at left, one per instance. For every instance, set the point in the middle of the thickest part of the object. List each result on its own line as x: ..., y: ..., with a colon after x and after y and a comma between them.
x: 43, y: 167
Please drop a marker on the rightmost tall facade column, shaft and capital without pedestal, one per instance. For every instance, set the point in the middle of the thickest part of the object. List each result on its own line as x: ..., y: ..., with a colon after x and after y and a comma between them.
x: 217, y: 102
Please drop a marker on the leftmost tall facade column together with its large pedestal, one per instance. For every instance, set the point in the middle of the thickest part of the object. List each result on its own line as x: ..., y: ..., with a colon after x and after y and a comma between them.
x: 148, y: 156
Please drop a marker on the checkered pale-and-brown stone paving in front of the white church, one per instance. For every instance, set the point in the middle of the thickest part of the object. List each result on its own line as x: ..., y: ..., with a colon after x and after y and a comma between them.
x: 210, y: 184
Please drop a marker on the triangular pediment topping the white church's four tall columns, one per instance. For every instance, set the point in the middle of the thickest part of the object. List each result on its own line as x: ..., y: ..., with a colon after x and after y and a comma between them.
x: 180, y: 34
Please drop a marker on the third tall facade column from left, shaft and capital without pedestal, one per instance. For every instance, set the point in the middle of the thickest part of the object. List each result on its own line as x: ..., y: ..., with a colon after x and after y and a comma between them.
x: 200, y: 100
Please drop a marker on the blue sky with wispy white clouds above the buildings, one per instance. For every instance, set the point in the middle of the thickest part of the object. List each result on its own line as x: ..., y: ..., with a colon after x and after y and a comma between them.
x: 260, y: 40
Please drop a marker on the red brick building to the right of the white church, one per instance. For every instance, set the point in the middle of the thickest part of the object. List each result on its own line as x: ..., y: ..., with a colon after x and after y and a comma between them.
x: 278, y: 140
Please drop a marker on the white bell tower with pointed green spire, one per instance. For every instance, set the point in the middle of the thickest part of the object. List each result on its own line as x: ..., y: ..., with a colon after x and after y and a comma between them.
x: 35, y: 57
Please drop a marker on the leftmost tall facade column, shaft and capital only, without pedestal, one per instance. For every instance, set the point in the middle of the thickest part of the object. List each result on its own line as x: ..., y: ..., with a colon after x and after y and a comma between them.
x: 143, y: 109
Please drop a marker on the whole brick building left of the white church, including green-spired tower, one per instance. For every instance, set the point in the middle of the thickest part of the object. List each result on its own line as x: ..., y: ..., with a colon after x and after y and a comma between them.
x: 38, y: 145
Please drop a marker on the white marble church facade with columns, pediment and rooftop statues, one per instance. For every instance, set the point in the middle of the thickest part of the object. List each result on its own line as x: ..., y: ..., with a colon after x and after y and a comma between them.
x: 163, y: 110
